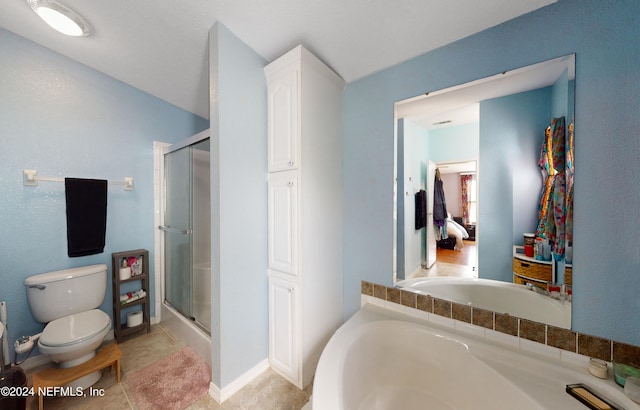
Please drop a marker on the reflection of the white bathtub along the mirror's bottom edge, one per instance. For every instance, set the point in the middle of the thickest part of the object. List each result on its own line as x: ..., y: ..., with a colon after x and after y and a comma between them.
x: 501, y: 297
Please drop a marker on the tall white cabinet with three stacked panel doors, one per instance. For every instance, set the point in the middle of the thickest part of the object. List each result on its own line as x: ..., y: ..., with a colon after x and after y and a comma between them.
x: 305, y: 211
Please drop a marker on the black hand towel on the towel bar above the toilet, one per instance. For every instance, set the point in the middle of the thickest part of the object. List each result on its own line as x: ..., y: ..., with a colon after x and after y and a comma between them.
x: 86, y: 216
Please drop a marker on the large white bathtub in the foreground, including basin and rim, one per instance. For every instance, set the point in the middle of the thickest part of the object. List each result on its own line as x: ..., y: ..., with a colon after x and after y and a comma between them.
x: 383, y: 359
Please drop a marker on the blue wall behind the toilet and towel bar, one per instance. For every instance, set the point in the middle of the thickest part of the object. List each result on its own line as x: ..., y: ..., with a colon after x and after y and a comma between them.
x: 65, y: 119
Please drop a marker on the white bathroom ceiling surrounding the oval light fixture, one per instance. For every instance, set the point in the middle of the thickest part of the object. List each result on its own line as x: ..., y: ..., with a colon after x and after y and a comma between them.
x: 161, y: 46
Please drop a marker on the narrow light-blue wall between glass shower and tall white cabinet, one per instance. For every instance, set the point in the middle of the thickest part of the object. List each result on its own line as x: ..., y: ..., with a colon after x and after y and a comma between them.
x: 240, y: 322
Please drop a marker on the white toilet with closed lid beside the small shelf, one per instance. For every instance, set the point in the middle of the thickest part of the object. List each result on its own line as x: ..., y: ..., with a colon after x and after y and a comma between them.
x: 67, y: 300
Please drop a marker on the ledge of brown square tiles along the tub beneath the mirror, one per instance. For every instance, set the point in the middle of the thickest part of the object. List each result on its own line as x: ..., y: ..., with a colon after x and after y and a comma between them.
x: 551, y: 341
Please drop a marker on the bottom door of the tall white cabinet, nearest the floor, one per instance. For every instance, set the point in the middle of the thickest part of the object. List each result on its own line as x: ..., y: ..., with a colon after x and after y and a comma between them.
x: 283, y: 348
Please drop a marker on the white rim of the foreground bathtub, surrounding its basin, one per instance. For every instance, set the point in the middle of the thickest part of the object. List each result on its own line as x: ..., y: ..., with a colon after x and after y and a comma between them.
x: 544, y: 380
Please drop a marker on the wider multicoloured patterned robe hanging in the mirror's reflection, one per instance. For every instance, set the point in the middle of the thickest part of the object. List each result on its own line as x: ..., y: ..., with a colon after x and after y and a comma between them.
x: 552, y: 205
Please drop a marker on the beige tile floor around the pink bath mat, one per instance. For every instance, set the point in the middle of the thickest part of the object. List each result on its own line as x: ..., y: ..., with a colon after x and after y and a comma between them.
x: 266, y: 392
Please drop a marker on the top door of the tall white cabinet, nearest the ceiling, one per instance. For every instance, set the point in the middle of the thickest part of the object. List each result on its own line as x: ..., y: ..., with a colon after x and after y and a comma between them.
x: 283, y: 120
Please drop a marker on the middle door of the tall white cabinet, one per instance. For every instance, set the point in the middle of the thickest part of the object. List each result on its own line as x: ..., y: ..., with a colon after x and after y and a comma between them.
x: 283, y: 222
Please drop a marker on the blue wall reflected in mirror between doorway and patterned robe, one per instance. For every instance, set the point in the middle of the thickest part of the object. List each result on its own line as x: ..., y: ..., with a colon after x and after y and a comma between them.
x: 509, y: 184
